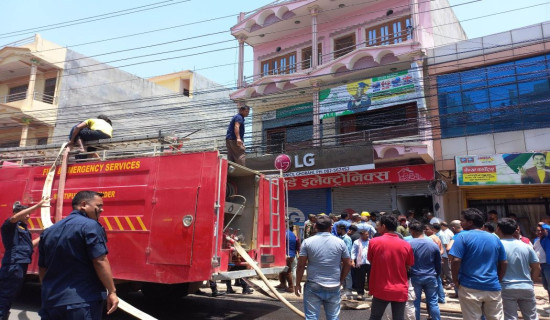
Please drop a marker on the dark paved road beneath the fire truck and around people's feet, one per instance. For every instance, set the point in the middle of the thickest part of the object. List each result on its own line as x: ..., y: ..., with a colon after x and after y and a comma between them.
x: 234, y: 306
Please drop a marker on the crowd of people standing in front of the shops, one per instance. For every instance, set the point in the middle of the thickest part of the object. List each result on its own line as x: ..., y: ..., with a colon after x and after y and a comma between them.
x: 486, y: 262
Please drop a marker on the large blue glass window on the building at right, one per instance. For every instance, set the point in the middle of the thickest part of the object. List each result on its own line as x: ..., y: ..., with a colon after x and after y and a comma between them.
x: 502, y: 97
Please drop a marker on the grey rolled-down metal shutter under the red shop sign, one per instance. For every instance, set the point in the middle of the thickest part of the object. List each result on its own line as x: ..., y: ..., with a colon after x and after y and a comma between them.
x: 362, y: 198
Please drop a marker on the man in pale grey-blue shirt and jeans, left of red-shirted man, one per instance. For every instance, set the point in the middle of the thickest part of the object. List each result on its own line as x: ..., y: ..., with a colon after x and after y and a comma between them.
x: 328, y: 263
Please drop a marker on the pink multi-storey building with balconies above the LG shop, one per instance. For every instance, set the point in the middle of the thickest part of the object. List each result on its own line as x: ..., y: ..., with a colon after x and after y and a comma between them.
x: 331, y: 74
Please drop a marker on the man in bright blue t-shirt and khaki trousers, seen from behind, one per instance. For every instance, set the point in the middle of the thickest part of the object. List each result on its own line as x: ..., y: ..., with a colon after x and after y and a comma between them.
x: 478, y: 263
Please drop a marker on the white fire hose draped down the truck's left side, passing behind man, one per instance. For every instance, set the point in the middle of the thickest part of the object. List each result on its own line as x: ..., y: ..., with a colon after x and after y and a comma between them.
x: 45, y: 215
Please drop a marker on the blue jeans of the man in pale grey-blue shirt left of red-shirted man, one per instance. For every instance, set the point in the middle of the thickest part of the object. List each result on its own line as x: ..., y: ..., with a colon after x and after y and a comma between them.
x: 316, y: 295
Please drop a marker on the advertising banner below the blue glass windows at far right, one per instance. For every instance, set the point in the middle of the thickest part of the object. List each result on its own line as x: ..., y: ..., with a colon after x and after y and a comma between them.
x: 503, y: 169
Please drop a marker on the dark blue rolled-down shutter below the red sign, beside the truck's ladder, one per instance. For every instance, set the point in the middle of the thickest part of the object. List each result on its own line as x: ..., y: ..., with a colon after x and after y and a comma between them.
x: 303, y: 202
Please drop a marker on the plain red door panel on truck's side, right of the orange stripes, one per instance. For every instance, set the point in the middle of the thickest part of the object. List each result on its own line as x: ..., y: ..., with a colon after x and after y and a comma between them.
x: 171, y: 242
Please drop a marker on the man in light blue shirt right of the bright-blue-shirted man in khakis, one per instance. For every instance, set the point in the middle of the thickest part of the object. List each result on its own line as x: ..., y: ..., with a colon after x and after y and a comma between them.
x: 523, y: 267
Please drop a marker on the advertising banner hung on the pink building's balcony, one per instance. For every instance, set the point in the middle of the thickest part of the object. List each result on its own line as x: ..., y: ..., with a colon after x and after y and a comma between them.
x: 368, y: 94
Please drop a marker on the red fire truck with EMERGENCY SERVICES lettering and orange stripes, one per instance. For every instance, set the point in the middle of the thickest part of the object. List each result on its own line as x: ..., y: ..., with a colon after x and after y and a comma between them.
x: 167, y: 214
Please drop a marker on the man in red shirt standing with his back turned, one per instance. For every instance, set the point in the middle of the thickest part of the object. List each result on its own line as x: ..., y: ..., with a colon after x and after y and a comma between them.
x: 390, y: 258
